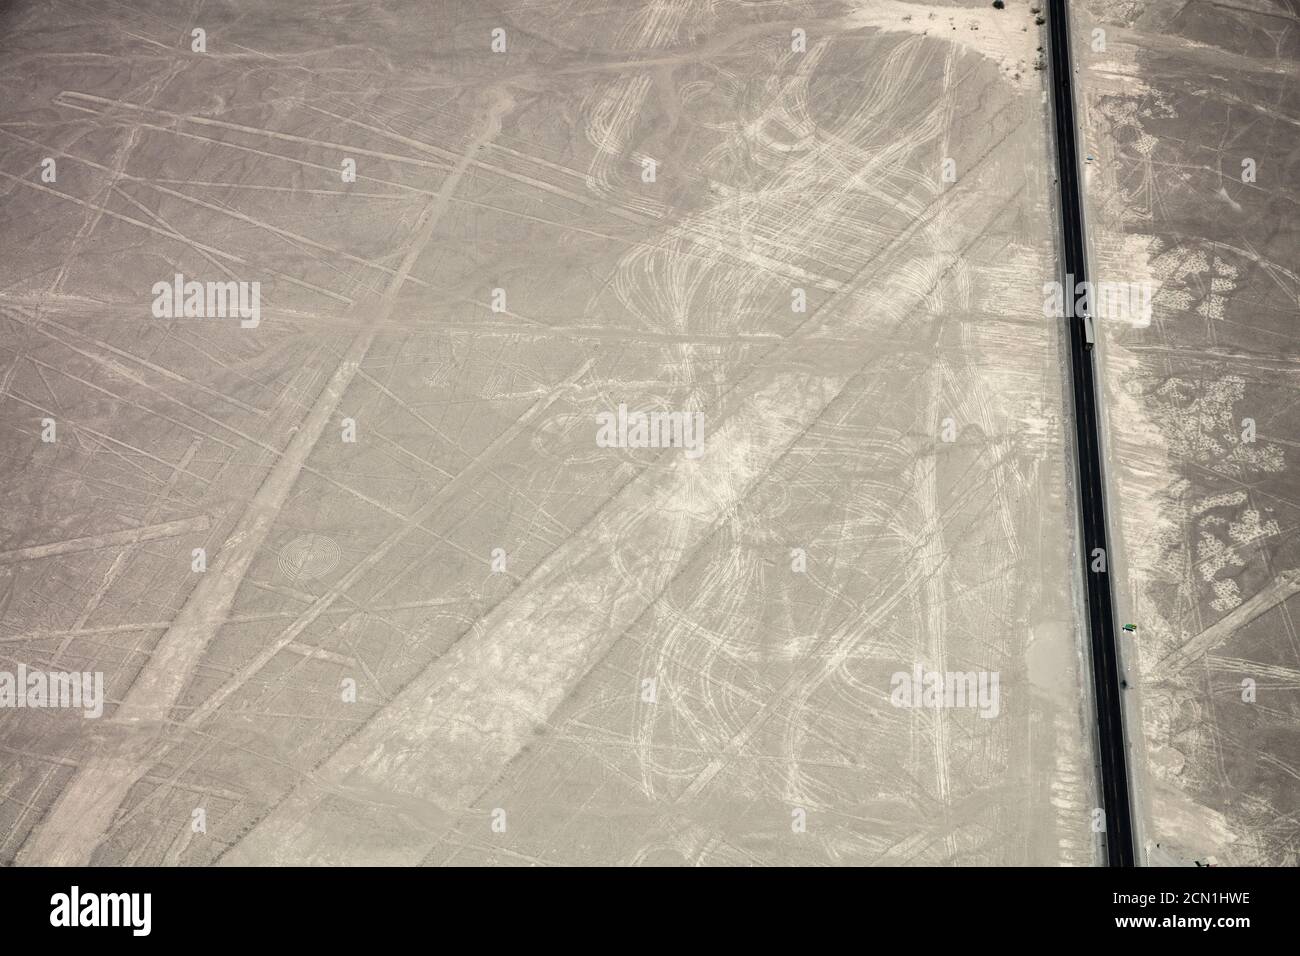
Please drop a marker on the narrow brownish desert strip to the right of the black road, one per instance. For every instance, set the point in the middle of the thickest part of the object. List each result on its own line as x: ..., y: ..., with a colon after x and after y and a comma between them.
x: 1193, y: 123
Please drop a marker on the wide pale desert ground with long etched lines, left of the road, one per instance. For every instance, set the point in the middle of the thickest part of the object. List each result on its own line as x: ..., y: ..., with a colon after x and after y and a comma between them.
x: 363, y: 581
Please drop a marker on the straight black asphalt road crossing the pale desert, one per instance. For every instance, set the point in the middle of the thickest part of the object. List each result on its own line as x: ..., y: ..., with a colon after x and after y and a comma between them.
x: 1102, y: 626
